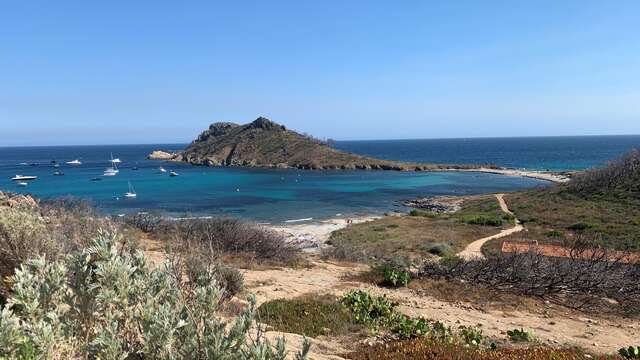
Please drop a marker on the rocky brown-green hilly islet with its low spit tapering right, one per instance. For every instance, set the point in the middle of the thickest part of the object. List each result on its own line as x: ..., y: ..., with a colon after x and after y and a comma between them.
x: 267, y: 144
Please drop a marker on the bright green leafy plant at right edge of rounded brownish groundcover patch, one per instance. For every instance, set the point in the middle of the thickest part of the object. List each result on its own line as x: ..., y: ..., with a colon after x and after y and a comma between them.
x: 366, y: 308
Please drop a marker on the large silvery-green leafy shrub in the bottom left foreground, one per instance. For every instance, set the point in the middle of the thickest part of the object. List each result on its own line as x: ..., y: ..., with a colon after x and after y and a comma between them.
x: 105, y: 302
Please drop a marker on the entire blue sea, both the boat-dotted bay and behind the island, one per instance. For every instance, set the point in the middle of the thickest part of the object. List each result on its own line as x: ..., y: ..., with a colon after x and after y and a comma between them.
x: 279, y: 196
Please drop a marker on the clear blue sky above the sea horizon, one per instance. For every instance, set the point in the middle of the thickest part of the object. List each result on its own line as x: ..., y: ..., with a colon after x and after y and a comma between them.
x: 148, y: 71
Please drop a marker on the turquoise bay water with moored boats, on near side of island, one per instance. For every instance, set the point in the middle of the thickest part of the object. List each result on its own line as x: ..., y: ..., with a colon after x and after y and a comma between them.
x: 257, y: 194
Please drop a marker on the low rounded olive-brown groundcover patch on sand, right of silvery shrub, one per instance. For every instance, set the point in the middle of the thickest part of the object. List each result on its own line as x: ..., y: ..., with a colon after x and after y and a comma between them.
x: 308, y: 316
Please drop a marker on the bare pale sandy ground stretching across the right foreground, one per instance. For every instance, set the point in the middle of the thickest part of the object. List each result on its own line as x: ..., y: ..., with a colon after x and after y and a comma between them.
x: 324, y: 277
